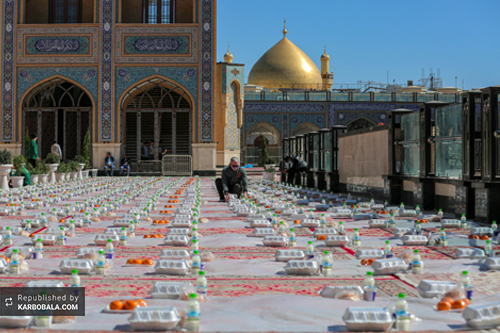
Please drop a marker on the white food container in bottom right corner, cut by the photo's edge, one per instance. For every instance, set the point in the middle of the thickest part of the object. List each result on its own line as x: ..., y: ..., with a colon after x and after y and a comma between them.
x: 482, y: 316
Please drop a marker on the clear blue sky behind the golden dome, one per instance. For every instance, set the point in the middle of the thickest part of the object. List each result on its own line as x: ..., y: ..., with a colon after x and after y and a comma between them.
x: 365, y: 39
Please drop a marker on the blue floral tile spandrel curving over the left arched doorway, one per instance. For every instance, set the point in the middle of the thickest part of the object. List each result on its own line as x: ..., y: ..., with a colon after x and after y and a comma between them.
x: 28, y: 77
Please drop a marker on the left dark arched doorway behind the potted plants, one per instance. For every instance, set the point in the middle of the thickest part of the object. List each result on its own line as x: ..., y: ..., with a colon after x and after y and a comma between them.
x: 58, y: 110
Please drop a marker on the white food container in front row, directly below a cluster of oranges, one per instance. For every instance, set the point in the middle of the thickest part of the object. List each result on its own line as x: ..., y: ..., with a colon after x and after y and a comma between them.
x: 163, y: 318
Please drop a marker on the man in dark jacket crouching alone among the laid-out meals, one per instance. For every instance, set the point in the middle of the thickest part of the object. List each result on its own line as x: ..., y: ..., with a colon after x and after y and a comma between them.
x: 234, y: 180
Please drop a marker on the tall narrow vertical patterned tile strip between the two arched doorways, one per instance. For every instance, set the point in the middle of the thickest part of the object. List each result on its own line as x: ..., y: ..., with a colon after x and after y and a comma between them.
x: 106, y: 70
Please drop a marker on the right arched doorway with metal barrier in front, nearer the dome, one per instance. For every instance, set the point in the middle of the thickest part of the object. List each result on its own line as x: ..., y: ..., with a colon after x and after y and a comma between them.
x: 157, y: 111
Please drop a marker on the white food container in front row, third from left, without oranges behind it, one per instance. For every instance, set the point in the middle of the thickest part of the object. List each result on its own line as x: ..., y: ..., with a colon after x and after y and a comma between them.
x: 367, y: 319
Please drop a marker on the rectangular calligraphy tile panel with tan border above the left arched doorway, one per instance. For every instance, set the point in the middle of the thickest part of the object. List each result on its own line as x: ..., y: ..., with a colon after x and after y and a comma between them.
x: 52, y: 45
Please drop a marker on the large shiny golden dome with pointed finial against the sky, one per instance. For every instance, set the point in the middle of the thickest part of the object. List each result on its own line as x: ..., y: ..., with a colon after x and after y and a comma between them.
x: 285, y: 65
